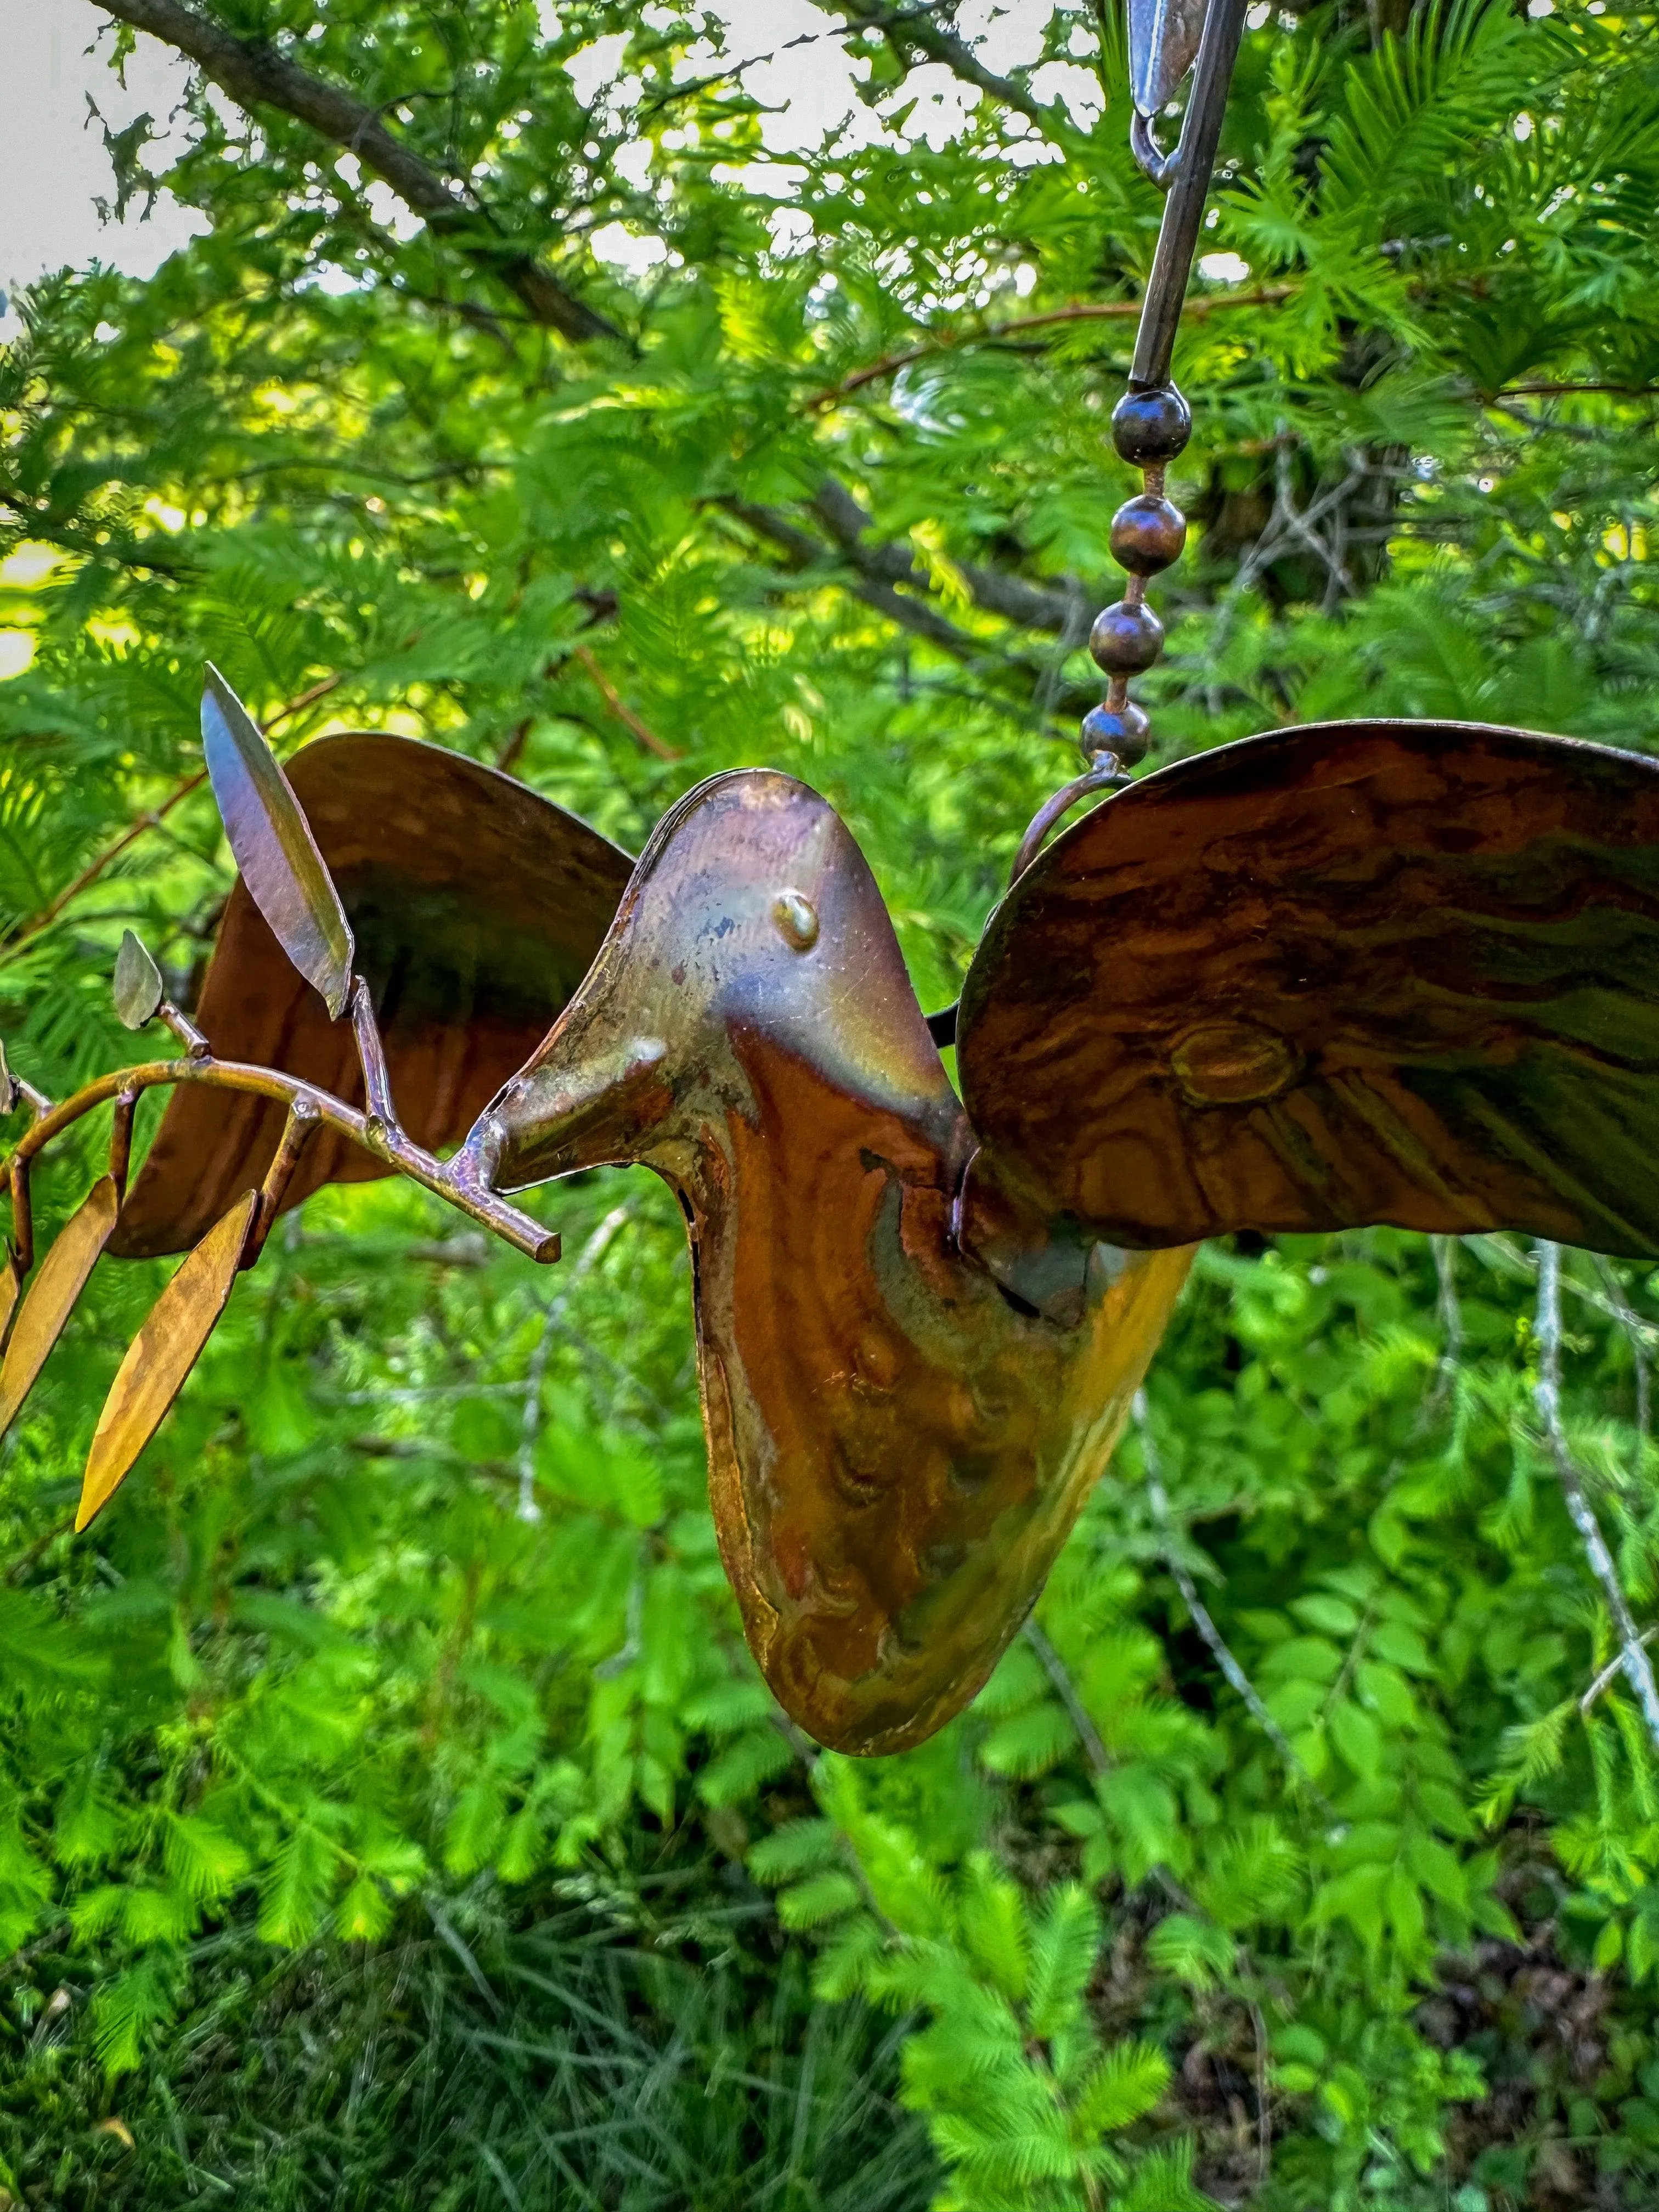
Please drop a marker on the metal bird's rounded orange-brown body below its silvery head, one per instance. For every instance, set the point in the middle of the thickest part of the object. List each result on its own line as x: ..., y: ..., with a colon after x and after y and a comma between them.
x: 897, y: 1450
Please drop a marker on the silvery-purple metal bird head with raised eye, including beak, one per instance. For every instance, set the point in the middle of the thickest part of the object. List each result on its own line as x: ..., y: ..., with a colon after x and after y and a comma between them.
x: 753, y: 921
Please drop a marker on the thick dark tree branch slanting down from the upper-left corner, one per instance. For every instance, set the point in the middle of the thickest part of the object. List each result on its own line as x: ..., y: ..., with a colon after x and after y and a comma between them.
x: 258, y: 76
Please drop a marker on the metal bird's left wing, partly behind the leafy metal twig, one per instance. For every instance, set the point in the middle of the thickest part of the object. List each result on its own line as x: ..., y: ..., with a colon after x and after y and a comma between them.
x: 477, y: 912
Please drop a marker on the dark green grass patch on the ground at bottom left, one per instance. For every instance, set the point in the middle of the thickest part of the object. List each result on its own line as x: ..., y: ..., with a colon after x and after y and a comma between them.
x: 472, y: 2067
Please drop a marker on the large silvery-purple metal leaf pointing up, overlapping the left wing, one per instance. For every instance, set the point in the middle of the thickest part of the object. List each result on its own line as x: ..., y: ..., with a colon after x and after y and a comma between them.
x: 275, y: 848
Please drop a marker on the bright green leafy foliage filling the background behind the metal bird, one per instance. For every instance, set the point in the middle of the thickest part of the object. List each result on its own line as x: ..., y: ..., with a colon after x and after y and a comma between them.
x: 317, y: 1700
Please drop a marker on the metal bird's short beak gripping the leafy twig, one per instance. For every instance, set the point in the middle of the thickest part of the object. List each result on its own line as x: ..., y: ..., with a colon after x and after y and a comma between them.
x: 570, y: 1109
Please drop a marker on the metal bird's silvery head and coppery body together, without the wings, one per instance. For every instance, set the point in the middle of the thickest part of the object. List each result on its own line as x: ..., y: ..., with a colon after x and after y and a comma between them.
x: 897, y: 1446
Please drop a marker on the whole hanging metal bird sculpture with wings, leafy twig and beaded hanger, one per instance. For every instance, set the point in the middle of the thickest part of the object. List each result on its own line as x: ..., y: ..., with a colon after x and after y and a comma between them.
x: 1348, y: 974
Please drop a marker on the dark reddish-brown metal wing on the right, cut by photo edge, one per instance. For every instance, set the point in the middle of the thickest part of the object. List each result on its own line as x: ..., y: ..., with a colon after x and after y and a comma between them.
x: 1342, y: 974
